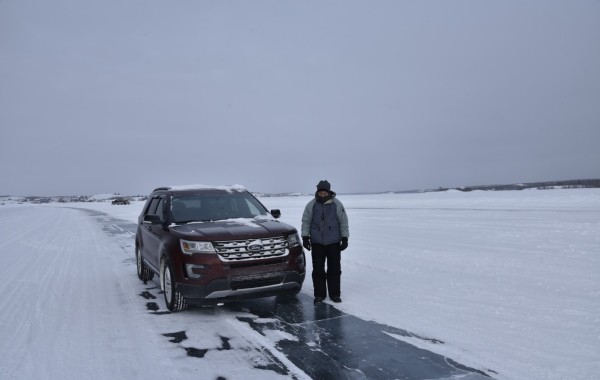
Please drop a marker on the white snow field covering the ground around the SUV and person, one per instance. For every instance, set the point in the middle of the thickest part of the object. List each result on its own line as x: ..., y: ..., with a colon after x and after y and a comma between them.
x: 509, y: 281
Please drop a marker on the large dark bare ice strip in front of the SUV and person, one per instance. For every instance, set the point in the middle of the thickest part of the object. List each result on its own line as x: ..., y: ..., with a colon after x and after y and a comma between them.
x: 330, y: 344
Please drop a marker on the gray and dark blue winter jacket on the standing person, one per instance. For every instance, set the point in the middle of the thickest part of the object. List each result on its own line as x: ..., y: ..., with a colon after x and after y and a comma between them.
x: 325, y: 223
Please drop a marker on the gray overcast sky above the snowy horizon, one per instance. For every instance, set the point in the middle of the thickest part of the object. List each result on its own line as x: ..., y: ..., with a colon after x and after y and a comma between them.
x: 103, y: 96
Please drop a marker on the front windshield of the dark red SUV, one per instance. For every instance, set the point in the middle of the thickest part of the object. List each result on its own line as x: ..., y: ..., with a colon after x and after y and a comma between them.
x: 207, y: 207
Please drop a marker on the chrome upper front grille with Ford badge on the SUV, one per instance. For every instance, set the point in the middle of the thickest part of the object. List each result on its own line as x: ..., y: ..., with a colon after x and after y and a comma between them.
x: 250, y: 249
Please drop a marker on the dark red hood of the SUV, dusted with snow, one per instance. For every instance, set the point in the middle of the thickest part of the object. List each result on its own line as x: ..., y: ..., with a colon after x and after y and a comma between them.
x: 232, y: 229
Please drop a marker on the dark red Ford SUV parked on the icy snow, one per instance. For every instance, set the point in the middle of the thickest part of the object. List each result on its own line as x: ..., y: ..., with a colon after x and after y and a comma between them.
x: 216, y: 244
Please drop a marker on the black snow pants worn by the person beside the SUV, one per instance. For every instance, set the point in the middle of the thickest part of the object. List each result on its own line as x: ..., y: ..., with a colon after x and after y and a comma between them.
x: 330, y: 279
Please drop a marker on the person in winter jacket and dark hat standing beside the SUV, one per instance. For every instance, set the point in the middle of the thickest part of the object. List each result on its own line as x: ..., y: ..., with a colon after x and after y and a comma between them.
x: 325, y: 231
